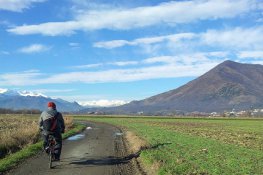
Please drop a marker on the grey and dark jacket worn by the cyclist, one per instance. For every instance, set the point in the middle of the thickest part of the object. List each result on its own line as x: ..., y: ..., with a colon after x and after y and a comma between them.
x: 46, y: 116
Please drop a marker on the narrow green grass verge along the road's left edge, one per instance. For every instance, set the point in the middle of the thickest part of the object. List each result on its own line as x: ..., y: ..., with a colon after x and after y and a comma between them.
x: 13, y: 159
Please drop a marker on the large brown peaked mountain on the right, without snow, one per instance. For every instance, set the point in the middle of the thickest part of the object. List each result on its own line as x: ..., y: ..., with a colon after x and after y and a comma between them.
x: 229, y: 85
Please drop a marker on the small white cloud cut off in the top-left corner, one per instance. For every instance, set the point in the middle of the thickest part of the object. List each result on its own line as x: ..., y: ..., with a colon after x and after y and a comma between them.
x: 17, y: 5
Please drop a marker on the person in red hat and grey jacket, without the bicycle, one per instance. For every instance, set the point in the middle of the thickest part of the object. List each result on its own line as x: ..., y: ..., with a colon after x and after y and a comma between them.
x: 51, y: 122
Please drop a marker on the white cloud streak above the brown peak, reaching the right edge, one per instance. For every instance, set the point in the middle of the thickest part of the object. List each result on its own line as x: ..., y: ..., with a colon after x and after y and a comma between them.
x: 230, y: 39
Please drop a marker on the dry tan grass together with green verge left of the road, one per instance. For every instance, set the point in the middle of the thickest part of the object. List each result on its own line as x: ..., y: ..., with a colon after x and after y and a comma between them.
x: 20, y: 138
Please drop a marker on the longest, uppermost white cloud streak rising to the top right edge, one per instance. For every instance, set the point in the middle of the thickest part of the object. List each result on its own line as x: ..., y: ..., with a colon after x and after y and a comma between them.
x: 122, y: 19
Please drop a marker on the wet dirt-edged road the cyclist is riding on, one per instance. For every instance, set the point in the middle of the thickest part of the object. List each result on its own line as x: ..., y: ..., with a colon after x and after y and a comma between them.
x: 99, y: 150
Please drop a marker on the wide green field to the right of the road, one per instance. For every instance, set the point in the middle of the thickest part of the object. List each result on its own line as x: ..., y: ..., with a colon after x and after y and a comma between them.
x: 197, y: 146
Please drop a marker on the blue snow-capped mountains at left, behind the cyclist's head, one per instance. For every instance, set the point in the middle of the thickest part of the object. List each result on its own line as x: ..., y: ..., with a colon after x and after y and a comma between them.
x: 11, y: 99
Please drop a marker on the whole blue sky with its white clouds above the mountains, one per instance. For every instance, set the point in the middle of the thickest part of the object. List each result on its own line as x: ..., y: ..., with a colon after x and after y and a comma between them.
x: 113, y: 51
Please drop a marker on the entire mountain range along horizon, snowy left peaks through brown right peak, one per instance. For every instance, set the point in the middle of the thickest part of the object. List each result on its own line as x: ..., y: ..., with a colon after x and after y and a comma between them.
x: 230, y: 85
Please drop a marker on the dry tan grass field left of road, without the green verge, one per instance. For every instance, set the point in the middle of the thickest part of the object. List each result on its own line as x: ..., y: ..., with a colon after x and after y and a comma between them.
x: 17, y: 132
